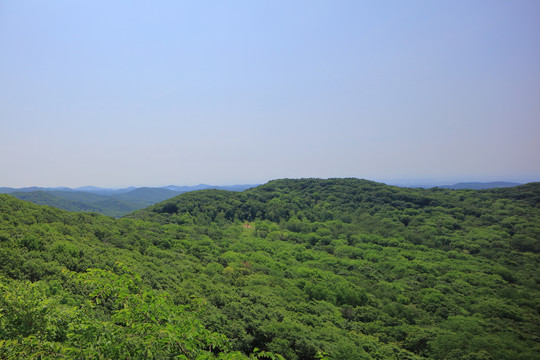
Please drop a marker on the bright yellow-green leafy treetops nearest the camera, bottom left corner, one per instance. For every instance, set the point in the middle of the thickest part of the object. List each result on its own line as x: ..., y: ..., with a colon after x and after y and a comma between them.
x: 118, y: 319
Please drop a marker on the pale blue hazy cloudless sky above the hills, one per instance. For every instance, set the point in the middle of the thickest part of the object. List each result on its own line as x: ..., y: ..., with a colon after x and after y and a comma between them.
x: 116, y: 93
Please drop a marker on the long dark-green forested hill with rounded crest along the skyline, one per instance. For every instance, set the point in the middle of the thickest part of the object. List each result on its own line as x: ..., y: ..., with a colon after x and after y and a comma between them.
x: 438, y: 218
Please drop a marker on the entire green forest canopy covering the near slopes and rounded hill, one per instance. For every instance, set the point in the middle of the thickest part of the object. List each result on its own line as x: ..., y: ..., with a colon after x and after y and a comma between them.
x: 292, y: 269
